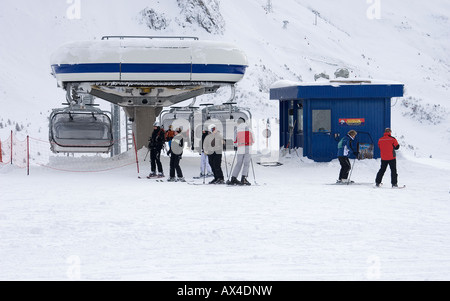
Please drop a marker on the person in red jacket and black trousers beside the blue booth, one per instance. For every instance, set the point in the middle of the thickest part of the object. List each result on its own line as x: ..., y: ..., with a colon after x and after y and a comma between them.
x: 388, y: 145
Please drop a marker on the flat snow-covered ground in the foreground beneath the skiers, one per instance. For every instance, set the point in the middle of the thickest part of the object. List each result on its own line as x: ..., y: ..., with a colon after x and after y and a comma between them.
x: 292, y: 226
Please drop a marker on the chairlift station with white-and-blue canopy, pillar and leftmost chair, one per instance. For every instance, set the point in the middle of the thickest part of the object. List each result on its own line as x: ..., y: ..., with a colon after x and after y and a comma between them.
x: 142, y: 75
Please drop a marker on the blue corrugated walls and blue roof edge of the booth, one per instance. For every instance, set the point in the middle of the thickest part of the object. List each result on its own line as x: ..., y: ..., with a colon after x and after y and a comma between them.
x: 369, y: 102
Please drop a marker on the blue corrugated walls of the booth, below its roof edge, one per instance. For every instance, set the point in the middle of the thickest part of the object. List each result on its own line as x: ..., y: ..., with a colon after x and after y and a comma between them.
x: 322, y: 147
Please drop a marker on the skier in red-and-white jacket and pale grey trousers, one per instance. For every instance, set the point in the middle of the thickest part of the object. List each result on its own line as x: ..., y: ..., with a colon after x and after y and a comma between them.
x: 243, y: 140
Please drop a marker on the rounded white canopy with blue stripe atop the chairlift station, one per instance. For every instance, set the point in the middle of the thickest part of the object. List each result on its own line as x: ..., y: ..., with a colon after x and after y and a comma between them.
x: 148, y: 60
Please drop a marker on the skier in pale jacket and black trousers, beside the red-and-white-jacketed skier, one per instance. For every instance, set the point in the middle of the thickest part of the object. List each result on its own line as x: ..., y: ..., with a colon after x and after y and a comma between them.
x: 213, y: 147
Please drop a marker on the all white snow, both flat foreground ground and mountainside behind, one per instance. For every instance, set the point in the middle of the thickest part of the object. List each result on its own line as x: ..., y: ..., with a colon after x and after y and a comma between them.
x: 110, y: 225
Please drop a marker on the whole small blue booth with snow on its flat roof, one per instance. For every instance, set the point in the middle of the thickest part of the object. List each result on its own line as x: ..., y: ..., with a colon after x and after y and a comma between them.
x: 315, y: 116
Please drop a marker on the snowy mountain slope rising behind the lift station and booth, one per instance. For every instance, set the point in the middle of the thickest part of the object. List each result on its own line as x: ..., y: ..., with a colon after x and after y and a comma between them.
x: 405, y: 41
